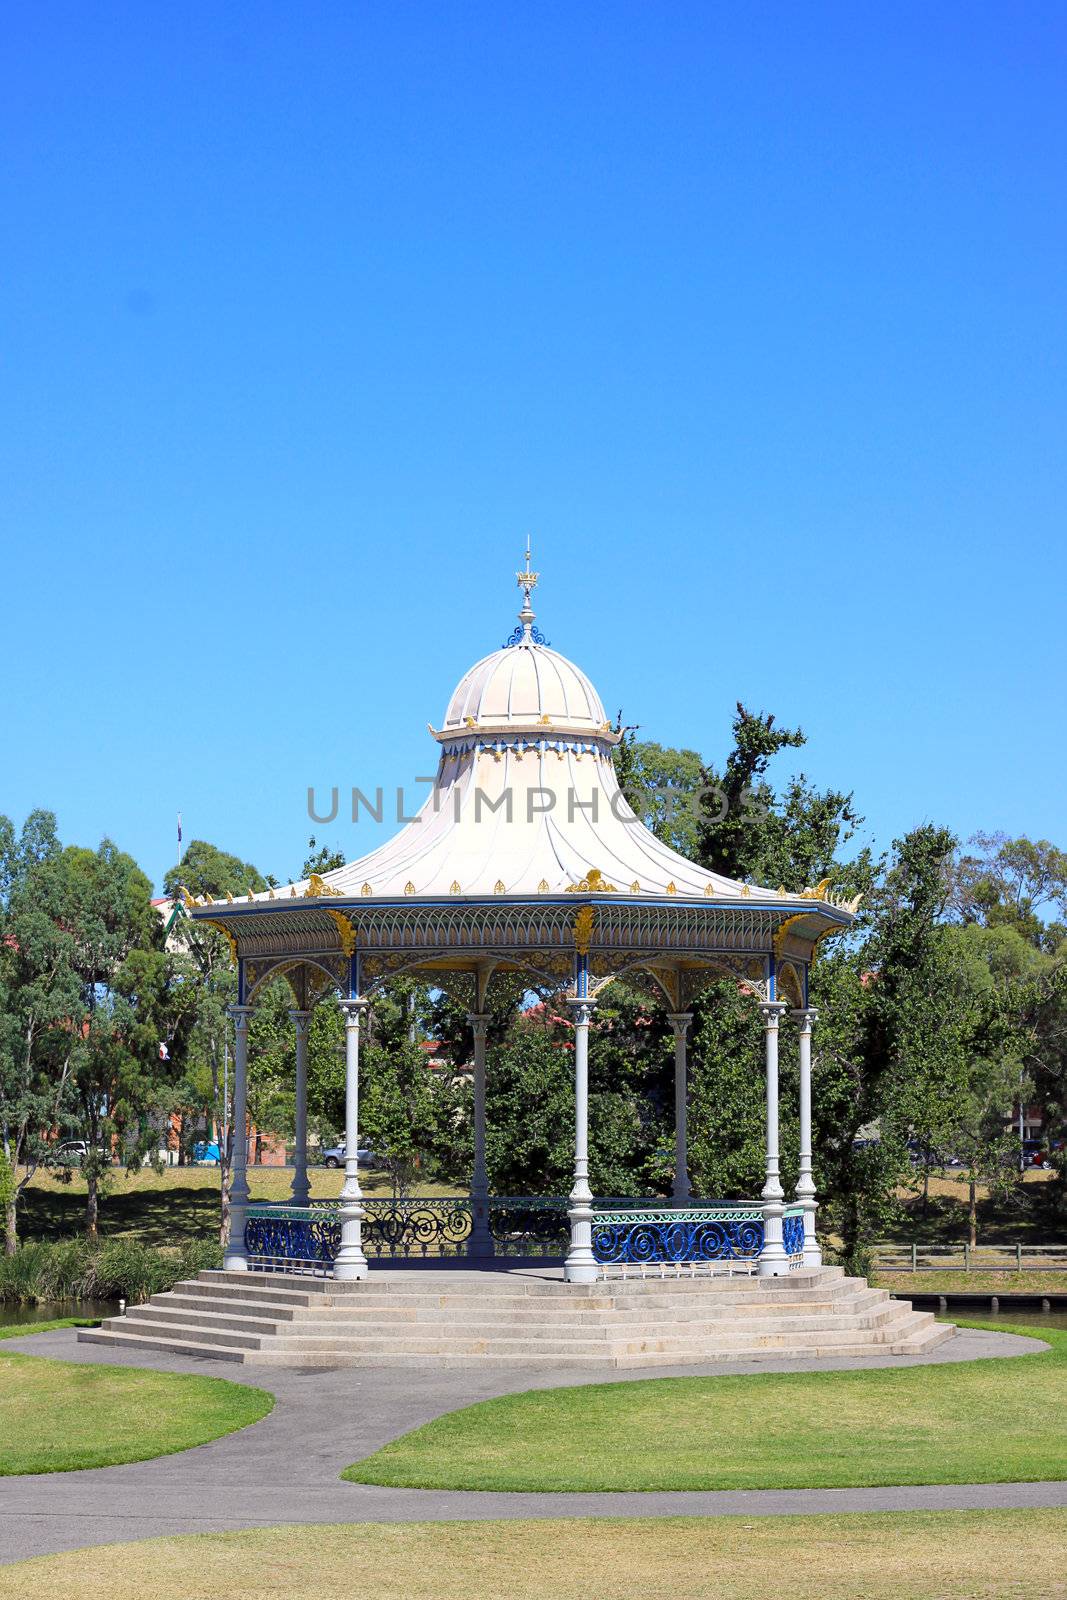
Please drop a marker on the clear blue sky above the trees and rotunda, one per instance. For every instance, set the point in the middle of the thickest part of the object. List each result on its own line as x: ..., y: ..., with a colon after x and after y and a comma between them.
x: 751, y: 316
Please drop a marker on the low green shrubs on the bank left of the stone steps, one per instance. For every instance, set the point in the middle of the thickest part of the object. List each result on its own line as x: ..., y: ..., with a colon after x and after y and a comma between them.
x: 73, y: 1270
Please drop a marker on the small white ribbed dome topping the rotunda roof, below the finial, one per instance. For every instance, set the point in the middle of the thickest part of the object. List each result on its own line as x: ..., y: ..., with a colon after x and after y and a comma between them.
x: 521, y: 687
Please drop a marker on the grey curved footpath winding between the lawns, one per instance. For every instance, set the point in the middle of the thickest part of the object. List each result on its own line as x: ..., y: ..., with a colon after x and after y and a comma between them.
x: 287, y: 1468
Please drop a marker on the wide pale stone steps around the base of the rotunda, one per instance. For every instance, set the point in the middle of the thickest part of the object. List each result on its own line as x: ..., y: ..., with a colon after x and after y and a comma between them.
x: 462, y: 1318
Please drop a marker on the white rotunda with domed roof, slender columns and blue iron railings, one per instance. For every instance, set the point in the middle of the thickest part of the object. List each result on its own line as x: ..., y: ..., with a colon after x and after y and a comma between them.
x: 527, y: 858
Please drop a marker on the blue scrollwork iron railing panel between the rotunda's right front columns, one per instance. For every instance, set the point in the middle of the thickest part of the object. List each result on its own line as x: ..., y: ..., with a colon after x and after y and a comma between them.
x: 660, y: 1234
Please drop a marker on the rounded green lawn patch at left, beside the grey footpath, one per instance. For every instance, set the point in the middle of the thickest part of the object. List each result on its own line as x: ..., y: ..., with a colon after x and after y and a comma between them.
x: 62, y: 1417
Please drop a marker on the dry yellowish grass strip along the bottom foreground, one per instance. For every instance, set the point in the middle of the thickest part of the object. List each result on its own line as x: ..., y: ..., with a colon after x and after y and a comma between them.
x: 916, y: 1556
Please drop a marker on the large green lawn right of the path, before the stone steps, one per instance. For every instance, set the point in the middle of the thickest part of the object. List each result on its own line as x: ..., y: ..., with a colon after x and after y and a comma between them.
x: 991, y: 1422
